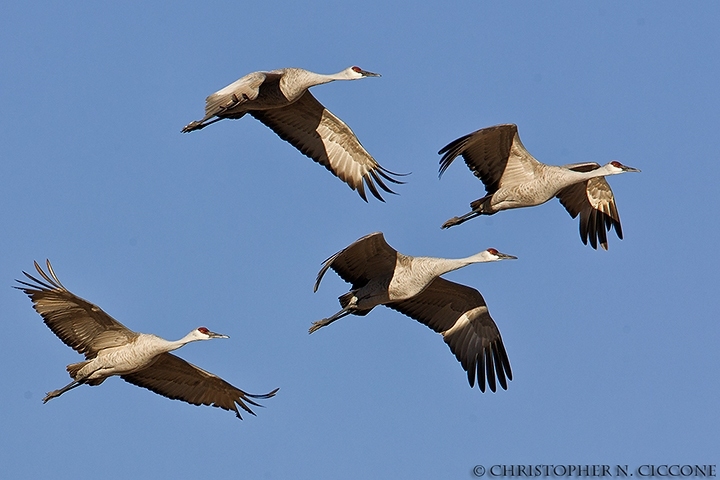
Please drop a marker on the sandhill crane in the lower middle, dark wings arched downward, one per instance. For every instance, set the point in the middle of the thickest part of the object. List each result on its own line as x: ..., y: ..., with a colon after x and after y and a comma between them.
x: 380, y: 275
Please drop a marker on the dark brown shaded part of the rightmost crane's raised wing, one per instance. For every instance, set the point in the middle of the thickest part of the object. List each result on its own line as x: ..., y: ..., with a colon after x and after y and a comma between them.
x: 485, y: 151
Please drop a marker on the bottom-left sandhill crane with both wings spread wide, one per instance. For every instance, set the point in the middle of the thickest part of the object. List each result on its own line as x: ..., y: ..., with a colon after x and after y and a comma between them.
x: 110, y: 349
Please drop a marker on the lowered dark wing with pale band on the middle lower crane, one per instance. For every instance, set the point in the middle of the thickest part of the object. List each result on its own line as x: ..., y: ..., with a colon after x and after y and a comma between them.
x: 460, y: 314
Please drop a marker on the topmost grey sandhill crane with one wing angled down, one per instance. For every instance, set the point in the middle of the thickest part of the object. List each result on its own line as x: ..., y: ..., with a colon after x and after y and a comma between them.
x: 280, y: 99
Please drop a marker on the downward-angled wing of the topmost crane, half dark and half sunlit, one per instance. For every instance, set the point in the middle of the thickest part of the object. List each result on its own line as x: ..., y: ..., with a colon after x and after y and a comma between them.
x: 326, y: 139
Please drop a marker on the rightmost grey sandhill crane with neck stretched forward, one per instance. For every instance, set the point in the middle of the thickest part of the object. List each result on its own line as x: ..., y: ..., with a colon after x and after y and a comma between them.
x: 514, y: 179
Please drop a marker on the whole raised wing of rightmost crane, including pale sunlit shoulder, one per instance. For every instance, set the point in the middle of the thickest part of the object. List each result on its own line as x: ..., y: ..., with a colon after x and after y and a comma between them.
x: 491, y: 154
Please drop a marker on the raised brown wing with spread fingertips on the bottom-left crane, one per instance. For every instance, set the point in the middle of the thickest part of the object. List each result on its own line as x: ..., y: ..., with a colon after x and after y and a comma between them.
x: 81, y: 325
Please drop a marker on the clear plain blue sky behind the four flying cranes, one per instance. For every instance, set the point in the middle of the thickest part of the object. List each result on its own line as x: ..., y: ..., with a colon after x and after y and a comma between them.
x: 614, y: 354
